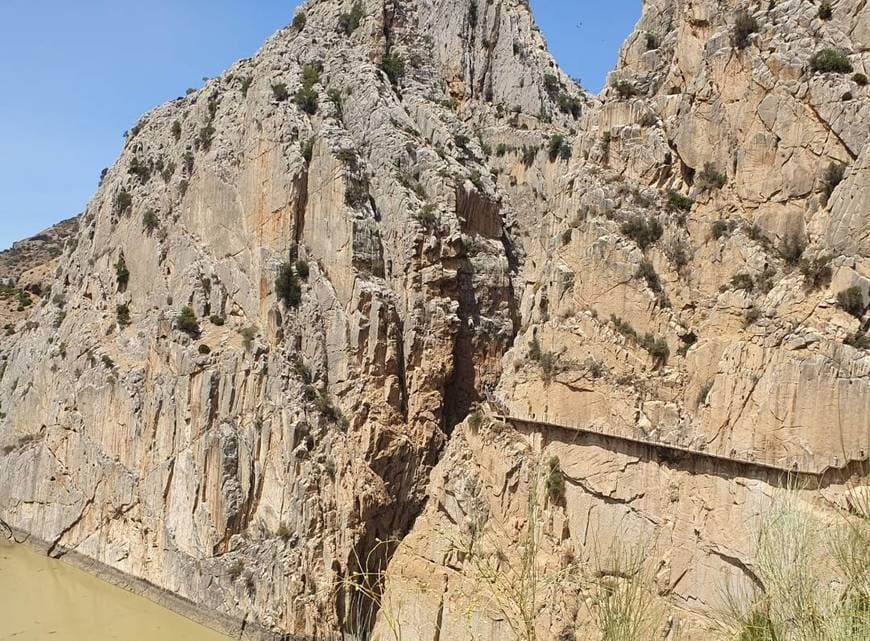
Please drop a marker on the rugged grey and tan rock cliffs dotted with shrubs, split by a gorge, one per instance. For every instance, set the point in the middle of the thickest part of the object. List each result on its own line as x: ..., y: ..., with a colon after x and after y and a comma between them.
x: 400, y: 208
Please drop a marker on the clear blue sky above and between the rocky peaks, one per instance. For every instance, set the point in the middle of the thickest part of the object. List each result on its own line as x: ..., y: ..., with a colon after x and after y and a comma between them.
x: 77, y: 74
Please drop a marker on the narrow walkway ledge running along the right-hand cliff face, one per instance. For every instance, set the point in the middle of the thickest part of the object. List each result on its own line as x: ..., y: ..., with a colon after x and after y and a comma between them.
x: 804, y: 466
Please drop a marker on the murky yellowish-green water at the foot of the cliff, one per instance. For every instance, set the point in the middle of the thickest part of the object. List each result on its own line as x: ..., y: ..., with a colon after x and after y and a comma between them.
x: 42, y: 599
